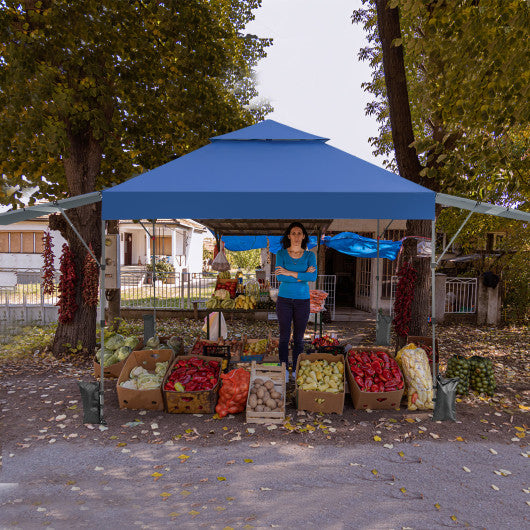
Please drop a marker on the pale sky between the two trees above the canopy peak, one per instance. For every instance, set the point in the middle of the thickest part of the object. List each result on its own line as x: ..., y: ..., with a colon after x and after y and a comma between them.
x: 312, y: 76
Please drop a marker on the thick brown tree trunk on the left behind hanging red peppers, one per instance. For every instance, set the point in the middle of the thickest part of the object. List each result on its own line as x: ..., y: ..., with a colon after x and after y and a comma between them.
x: 81, y: 168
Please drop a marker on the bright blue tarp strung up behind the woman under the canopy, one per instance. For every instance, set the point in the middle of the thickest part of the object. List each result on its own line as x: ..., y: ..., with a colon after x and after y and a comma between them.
x: 345, y: 242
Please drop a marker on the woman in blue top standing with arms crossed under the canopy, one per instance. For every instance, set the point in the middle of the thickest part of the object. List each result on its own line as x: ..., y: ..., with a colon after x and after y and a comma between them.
x: 295, y: 267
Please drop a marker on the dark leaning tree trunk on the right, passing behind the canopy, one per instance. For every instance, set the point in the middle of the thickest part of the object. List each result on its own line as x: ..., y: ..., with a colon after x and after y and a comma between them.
x: 406, y: 157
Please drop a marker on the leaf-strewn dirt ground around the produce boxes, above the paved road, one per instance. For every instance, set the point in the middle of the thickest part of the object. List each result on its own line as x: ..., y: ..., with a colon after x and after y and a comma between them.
x: 40, y: 404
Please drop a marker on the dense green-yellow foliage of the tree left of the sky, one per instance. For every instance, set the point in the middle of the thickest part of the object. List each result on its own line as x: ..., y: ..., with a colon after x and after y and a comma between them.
x: 134, y: 83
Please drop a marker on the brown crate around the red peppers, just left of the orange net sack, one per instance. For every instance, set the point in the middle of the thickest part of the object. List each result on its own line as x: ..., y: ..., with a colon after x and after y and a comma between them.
x: 196, y: 402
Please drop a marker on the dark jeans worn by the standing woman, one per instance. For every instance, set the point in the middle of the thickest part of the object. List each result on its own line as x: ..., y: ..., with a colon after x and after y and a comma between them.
x: 295, y: 311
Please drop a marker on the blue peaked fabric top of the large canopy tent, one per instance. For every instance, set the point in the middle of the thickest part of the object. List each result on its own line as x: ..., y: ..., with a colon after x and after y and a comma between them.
x: 268, y: 171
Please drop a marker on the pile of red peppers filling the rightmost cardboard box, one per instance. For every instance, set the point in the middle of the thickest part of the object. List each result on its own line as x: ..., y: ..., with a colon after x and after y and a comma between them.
x: 375, y: 371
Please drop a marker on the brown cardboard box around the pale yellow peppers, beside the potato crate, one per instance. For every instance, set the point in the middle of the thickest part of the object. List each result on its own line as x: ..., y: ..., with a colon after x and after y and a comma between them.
x: 315, y: 401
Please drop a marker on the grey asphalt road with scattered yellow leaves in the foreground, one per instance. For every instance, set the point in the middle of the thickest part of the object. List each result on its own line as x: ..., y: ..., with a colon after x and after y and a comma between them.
x: 281, y: 485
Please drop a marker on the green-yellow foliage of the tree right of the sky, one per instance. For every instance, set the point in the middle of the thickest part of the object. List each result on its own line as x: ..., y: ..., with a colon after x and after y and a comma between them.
x: 468, y: 78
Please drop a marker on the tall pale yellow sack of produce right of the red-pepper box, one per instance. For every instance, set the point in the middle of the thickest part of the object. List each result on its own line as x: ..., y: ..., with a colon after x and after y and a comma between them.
x: 415, y: 367
